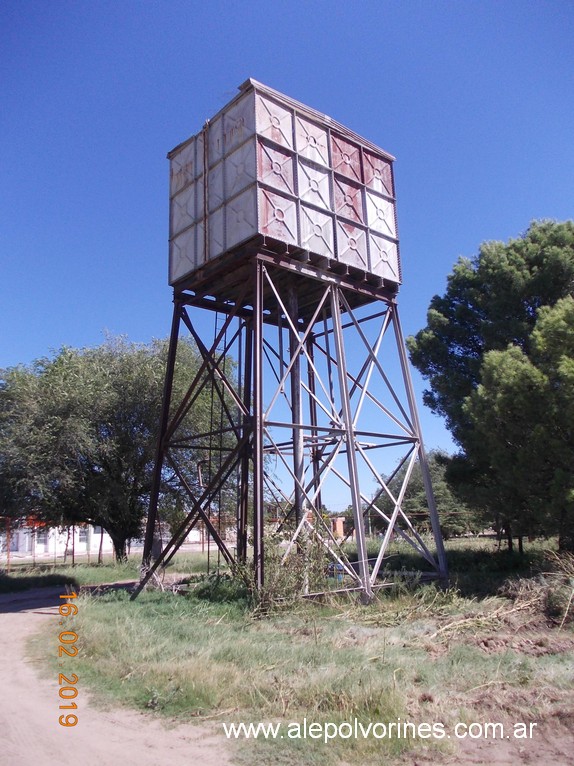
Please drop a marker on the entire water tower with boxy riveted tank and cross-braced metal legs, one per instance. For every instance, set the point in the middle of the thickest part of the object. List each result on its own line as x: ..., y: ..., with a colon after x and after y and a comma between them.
x: 283, y: 226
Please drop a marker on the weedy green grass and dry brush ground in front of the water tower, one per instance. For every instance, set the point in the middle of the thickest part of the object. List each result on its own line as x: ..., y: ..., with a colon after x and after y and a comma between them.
x: 497, y: 645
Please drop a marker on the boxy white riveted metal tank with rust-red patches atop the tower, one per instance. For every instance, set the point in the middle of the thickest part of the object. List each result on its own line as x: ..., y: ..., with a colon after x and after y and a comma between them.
x: 266, y: 165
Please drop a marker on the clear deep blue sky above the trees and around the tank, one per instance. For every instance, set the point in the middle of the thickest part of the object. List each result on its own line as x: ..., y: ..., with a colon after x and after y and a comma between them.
x: 473, y: 98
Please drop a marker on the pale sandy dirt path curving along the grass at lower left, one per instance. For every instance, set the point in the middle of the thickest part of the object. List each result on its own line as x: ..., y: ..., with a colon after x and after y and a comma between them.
x: 31, y: 734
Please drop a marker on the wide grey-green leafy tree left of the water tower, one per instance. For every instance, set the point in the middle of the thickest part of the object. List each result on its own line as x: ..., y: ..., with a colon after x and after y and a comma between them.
x: 78, y: 433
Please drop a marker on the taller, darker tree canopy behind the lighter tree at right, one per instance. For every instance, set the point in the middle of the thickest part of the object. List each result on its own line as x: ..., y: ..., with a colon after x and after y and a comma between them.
x: 490, y: 301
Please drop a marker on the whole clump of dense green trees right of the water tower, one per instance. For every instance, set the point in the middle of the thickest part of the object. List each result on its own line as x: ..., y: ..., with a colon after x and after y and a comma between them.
x: 490, y: 358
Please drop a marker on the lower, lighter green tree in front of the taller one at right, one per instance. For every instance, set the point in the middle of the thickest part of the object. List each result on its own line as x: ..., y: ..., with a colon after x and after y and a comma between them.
x: 523, y: 418
